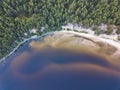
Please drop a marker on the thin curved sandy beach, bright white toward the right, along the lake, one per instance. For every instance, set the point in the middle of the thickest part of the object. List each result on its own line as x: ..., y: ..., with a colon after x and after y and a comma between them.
x: 93, y: 37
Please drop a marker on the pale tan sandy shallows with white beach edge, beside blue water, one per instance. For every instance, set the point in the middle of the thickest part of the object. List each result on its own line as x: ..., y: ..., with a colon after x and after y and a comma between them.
x: 73, y: 40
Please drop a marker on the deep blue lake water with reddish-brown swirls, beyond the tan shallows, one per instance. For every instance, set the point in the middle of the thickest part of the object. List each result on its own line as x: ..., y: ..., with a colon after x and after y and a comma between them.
x: 58, y: 69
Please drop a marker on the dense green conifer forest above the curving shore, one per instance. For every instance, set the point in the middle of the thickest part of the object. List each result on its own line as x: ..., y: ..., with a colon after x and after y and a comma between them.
x: 19, y: 16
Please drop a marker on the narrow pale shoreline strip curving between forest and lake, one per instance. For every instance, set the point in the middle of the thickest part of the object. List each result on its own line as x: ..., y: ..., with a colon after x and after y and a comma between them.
x: 109, y: 41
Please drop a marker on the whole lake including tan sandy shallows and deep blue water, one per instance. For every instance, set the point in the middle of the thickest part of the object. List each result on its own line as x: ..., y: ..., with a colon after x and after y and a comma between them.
x: 64, y: 61
